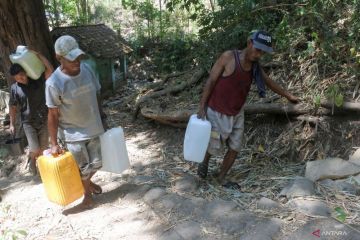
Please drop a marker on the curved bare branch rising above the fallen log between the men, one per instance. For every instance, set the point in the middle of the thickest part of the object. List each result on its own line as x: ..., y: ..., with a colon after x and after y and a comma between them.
x: 171, y: 89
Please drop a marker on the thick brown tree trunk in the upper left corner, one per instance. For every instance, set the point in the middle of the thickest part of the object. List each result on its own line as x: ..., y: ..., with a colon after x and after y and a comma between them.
x: 23, y: 23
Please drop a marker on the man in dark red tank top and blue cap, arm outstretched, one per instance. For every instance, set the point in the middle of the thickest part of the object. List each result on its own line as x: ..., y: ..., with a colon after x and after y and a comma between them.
x: 224, y: 95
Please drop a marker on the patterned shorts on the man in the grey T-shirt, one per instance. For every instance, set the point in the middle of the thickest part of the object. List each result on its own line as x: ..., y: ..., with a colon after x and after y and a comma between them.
x: 87, y: 154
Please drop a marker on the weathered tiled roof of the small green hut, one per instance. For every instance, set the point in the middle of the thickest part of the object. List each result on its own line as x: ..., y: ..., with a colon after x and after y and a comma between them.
x: 98, y: 40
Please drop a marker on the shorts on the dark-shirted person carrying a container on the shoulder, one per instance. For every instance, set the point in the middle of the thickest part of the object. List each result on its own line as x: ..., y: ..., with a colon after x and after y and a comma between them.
x: 37, y: 137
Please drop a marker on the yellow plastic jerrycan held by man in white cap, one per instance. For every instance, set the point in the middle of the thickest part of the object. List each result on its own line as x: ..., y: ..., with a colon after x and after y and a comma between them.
x: 61, y: 178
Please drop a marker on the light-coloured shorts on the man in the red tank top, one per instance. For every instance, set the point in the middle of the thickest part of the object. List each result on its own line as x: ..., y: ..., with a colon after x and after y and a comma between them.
x: 225, y: 129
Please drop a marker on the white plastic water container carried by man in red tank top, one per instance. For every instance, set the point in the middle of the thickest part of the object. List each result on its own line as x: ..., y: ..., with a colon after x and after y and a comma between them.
x: 197, y: 137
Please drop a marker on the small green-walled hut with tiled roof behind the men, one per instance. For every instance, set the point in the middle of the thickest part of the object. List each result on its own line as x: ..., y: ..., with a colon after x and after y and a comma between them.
x: 105, y: 49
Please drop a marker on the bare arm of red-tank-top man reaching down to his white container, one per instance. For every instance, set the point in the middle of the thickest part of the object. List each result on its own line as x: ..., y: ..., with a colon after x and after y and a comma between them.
x: 215, y: 73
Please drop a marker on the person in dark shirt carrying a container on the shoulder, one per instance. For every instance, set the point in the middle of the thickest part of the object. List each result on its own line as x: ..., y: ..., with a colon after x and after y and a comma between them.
x: 28, y: 96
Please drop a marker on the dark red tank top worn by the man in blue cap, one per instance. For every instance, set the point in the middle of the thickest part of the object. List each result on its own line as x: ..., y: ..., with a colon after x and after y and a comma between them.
x: 230, y: 92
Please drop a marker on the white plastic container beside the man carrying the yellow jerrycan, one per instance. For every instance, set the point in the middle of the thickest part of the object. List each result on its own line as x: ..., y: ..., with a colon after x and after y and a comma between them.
x: 113, y: 150
